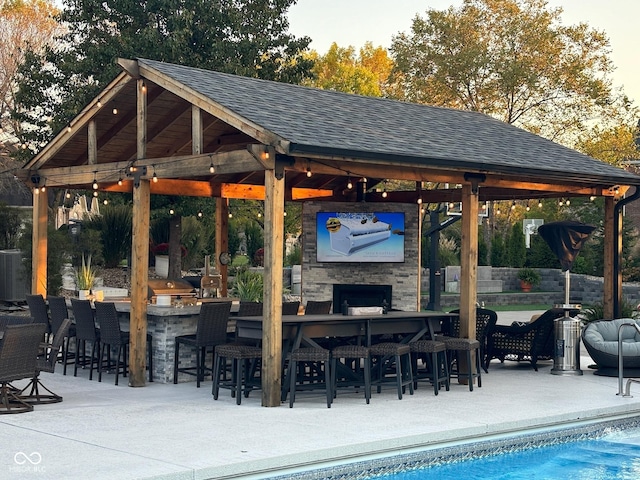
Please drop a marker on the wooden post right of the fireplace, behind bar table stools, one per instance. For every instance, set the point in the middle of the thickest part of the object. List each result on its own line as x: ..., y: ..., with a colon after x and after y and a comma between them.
x: 468, y: 270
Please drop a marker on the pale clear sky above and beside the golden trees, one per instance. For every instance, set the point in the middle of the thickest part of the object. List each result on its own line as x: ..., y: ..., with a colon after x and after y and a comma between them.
x: 354, y: 22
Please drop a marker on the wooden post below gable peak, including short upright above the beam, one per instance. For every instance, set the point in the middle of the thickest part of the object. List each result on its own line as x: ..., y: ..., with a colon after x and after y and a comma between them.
x: 139, y: 257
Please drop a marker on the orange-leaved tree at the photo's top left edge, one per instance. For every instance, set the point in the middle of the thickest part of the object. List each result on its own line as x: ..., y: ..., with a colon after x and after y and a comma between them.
x: 24, y: 24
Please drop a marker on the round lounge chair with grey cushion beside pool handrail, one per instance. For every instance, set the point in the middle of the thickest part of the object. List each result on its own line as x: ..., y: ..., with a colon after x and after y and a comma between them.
x: 600, y: 338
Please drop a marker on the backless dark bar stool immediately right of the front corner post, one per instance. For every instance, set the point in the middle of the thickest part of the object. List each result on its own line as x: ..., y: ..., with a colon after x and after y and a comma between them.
x: 300, y: 357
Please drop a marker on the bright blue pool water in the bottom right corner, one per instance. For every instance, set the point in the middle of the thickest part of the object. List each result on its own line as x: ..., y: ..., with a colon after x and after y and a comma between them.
x: 613, y: 456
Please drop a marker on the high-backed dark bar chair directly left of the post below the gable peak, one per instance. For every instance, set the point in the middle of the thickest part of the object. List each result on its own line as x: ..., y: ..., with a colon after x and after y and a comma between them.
x: 112, y: 337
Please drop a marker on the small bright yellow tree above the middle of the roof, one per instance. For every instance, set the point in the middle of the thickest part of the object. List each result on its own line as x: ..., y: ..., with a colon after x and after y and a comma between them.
x: 340, y: 69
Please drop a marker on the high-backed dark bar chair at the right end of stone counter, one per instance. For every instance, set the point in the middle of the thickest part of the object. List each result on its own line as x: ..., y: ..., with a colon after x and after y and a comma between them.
x: 211, y: 330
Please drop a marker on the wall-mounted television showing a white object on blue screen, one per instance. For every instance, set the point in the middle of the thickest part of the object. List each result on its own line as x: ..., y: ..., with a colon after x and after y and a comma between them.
x: 362, y: 237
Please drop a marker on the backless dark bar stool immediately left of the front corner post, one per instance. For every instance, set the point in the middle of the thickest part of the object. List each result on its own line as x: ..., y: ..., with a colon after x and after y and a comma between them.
x: 241, y: 357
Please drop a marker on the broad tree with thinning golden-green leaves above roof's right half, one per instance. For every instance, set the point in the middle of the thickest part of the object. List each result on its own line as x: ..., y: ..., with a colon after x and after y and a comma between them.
x: 511, y: 59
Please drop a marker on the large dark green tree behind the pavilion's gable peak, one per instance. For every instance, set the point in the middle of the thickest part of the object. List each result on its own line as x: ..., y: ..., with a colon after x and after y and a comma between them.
x: 244, y: 37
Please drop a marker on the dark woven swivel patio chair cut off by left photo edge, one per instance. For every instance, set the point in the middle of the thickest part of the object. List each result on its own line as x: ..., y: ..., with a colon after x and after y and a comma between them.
x: 18, y: 356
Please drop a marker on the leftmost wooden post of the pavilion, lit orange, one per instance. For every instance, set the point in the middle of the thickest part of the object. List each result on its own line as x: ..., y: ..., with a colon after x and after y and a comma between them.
x: 39, y: 243
